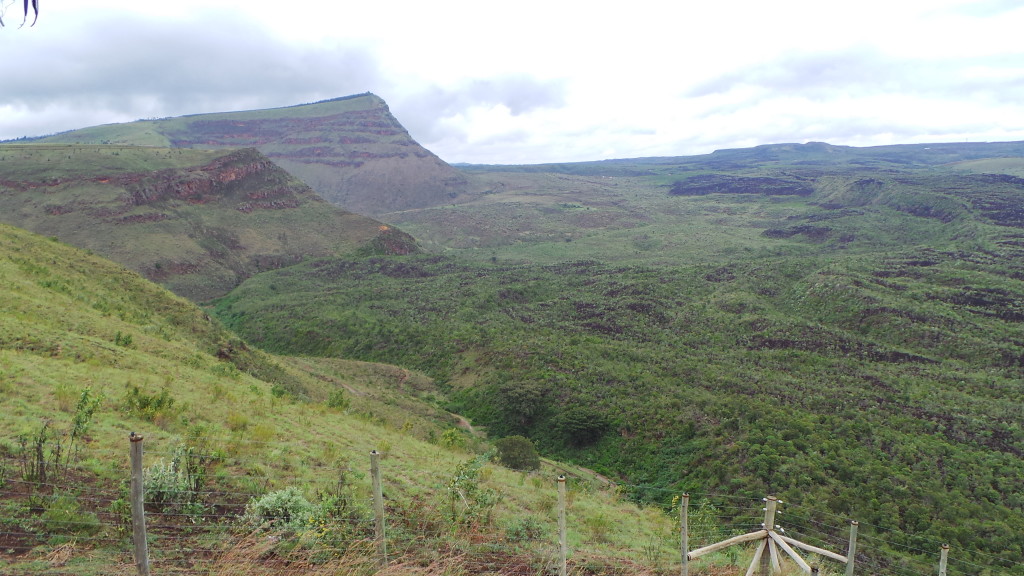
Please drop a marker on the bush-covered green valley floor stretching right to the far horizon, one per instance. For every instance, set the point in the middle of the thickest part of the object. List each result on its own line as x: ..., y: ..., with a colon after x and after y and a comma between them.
x: 840, y: 327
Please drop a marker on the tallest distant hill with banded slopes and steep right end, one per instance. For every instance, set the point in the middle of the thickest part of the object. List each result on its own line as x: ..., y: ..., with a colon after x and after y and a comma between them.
x: 352, y: 150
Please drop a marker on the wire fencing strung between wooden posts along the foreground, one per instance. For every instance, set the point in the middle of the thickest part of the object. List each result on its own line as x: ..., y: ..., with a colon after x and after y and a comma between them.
x: 434, y: 524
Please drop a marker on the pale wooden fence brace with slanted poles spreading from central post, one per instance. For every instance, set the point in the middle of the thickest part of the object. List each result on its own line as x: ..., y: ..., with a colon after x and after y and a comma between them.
x: 767, y: 556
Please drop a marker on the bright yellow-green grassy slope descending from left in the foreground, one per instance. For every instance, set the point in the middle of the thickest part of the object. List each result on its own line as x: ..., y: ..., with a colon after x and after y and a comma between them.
x: 71, y: 322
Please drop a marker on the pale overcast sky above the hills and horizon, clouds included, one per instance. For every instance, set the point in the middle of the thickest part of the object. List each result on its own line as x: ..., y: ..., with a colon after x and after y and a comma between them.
x: 537, y: 81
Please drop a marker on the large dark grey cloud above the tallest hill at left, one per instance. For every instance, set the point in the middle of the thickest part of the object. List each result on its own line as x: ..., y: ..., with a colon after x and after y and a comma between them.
x: 130, y: 69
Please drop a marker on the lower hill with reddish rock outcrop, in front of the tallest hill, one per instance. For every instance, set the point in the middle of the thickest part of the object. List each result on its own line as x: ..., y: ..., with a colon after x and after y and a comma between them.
x: 197, y: 222
